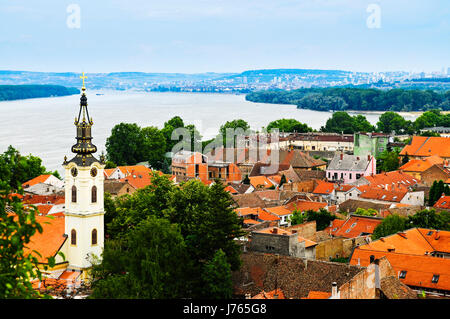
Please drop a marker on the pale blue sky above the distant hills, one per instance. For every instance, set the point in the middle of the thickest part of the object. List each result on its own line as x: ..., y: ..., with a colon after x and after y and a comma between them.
x: 187, y: 36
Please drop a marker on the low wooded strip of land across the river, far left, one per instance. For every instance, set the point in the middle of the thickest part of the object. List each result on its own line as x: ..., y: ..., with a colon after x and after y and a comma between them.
x: 19, y: 92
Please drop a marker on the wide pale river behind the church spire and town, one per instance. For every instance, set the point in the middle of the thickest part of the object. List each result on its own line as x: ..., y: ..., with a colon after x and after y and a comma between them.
x: 45, y: 127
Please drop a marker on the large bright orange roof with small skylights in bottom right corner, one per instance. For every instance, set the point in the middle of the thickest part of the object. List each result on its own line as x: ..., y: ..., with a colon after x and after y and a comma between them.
x: 419, y: 269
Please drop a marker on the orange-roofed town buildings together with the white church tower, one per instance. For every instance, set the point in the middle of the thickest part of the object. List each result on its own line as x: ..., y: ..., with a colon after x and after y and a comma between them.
x: 312, y: 222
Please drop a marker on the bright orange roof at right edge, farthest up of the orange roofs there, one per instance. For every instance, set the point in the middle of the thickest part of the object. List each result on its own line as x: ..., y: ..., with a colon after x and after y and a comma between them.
x: 427, y: 146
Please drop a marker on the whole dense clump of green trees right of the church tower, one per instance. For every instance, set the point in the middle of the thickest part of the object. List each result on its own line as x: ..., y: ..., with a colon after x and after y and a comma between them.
x: 206, y: 226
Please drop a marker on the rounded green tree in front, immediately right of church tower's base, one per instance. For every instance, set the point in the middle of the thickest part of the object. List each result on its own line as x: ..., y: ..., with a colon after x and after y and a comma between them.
x: 149, y: 262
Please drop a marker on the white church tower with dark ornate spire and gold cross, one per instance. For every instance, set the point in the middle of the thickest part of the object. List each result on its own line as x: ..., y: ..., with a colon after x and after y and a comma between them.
x: 84, y: 209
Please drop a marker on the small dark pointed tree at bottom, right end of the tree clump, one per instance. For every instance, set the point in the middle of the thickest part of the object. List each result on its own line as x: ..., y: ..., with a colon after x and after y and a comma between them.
x: 216, y: 276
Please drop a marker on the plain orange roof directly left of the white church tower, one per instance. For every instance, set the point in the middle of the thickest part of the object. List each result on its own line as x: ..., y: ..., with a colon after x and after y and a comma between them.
x: 50, y: 240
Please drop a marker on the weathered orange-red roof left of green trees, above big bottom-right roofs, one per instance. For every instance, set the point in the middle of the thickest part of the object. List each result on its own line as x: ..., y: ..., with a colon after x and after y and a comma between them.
x: 353, y: 226
